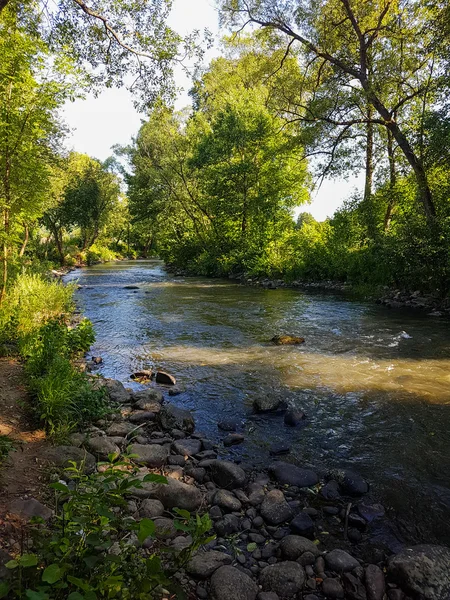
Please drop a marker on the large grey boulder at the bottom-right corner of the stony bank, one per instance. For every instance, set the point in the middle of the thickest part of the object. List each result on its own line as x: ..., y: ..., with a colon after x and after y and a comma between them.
x: 422, y: 571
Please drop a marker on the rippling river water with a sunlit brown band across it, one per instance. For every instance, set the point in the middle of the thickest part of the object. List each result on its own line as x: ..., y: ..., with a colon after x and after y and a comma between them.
x: 374, y: 383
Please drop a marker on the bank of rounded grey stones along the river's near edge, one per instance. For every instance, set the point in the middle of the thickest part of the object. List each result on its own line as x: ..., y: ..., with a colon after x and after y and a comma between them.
x: 285, y: 532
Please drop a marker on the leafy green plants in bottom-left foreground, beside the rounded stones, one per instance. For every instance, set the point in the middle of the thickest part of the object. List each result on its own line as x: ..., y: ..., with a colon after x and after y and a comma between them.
x: 94, y: 548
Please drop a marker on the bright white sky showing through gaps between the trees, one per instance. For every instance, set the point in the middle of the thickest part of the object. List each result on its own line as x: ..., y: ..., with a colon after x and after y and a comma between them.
x: 97, y: 124
